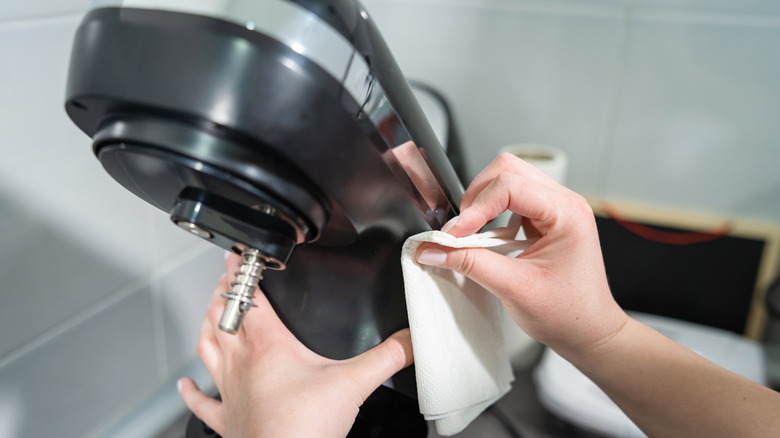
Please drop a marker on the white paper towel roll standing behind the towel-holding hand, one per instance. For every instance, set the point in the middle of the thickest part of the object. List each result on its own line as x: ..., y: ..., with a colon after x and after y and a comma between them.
x: 522, y: 348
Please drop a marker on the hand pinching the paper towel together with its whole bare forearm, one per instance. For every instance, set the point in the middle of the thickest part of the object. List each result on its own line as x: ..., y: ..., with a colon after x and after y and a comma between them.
x: 557, y: 292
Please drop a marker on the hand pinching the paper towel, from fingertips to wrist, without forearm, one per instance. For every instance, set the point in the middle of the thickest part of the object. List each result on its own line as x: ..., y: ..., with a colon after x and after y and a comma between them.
x: 556, y: 290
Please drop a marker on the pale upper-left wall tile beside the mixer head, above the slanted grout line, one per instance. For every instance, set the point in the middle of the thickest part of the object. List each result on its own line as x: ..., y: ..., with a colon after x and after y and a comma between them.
x: 48, y: 166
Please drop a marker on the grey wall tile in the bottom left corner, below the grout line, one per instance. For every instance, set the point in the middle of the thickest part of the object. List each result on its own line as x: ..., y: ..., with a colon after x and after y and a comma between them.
x: 77, y: 379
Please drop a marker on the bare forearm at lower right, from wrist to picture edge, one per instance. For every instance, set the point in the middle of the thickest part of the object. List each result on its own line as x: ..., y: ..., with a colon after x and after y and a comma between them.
x: 668, y: 390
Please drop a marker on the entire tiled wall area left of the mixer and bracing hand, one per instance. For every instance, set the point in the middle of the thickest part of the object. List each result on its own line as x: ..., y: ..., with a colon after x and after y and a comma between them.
x: 72, y: 241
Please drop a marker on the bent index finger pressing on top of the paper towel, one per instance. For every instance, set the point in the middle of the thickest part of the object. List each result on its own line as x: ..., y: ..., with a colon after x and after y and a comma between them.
x: 524, y: 196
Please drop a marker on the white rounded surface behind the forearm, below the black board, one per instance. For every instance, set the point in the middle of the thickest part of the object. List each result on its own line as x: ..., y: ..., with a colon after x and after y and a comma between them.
x: 568, y: 393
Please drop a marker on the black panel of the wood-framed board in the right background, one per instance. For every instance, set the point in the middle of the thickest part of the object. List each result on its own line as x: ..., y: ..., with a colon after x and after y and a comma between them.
x: 710, y: 283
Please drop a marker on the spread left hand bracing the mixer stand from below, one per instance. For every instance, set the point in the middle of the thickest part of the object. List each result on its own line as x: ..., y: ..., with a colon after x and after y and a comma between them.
x: 272, y: 385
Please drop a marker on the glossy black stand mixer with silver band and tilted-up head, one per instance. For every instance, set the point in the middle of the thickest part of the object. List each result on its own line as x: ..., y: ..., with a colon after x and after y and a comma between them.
x: 281, y: 130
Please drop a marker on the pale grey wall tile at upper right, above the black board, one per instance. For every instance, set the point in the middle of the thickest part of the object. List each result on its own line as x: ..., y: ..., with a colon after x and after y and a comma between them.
x: 697, y: 117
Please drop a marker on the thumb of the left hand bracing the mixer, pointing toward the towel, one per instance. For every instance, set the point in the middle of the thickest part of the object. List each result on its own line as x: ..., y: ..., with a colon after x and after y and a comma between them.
x: 378, y: 364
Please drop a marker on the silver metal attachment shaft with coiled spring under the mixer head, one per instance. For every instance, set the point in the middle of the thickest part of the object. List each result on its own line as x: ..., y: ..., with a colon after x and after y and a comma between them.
x: 239, y: 298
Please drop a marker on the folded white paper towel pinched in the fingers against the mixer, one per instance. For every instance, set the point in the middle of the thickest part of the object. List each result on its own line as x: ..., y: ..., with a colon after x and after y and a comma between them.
x: 460, y: 361
